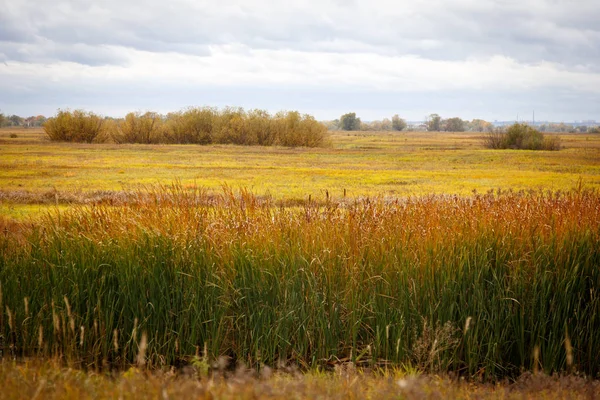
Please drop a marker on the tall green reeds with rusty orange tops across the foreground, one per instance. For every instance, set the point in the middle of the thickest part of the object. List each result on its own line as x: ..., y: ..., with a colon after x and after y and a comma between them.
x: 471, y: 285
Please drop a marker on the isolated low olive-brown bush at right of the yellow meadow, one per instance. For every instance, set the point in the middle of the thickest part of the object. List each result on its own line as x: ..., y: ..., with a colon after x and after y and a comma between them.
x: 521, y: 136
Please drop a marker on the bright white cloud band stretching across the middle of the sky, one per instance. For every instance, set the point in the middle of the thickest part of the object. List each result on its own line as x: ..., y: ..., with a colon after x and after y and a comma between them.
x: 231, y: 65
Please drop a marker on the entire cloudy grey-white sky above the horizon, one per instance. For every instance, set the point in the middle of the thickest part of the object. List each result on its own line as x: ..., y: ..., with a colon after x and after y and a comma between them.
x: 489, y: 59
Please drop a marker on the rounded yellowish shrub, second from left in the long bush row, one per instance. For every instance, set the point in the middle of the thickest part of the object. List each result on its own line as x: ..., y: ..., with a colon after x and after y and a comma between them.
x: 145, y: 128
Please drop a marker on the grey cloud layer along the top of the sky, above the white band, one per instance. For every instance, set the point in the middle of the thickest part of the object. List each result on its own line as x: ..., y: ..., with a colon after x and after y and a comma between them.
x: 556, y: 31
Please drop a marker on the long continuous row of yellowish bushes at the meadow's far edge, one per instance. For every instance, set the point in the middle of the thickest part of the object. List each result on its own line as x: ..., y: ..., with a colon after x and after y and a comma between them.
x: 206, y: 125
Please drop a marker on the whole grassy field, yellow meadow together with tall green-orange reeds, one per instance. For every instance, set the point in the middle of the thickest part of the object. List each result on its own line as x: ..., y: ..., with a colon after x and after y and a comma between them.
x: 408, y: 253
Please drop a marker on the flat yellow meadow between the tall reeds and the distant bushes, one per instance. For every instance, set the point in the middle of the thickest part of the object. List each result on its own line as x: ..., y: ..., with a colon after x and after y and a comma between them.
x: 35, y: 170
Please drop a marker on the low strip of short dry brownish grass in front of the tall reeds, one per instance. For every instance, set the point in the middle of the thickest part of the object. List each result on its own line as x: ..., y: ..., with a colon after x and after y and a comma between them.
x: 49, y: 381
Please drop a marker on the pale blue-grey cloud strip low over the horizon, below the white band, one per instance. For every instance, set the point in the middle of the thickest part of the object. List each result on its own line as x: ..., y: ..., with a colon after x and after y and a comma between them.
x: 549, y: 103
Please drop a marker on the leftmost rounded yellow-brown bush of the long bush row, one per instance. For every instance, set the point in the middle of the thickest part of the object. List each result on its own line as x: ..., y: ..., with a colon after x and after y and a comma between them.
x: 75, y: 126
